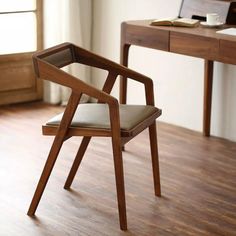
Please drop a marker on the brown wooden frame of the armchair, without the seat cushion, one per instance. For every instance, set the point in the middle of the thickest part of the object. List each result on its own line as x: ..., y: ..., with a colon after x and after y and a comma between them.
x: 47, y: 66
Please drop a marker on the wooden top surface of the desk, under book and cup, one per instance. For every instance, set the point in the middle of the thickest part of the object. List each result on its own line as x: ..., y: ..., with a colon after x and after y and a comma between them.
x: 197, y: 31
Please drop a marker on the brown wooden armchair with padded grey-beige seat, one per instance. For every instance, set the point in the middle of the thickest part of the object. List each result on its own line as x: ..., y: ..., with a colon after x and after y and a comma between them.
x: 107, y: 118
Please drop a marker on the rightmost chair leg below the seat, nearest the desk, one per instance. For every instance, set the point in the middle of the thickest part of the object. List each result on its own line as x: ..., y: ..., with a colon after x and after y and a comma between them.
x: 155, y: 159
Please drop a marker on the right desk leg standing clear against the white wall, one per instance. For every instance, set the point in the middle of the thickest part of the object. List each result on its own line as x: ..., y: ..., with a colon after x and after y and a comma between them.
x: 208, y: 80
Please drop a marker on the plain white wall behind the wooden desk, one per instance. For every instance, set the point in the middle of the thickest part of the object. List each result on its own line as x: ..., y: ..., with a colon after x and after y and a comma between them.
x: 178, y: 79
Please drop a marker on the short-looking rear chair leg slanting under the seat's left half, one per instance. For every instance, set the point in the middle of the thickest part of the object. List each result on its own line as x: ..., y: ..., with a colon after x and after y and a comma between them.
x: 77, y: 161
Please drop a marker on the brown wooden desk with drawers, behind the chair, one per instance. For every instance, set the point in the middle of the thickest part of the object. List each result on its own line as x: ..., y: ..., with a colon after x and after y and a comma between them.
x: 197, y: 42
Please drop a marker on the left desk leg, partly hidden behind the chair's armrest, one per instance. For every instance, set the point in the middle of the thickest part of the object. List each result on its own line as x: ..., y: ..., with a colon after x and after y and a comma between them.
x: 124, y: 53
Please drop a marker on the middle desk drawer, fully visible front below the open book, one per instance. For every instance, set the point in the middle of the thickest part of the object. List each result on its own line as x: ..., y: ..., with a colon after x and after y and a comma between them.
x: 194, y: 45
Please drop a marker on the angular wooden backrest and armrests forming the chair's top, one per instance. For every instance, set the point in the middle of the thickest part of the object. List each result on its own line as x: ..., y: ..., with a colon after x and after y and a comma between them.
x: 48, y: 62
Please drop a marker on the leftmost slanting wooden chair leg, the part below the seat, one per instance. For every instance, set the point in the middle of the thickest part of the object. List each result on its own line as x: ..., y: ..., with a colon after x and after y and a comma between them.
x: 45, y: 175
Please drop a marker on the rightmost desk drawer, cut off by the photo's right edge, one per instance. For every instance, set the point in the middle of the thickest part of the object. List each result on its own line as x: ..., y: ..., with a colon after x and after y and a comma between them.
x: 228, y: 51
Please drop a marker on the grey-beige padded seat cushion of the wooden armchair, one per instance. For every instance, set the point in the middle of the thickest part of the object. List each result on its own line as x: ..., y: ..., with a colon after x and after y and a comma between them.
x: 93, y: 115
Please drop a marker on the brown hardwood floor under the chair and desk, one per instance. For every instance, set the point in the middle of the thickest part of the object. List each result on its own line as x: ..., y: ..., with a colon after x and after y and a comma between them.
x: 198, y: 177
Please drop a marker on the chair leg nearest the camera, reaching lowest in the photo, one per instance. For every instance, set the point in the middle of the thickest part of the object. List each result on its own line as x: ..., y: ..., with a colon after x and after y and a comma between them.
x: 120, y: 188
